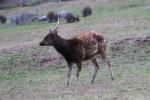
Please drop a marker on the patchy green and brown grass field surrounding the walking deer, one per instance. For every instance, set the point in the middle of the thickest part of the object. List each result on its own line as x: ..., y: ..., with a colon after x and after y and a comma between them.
x: 24, y: 76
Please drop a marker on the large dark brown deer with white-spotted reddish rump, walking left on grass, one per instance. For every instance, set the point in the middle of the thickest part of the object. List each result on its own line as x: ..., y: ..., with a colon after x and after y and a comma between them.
x: 87, y: 46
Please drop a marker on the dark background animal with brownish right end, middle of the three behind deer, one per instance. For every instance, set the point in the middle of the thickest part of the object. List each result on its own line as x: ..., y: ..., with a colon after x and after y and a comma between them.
x: 70, y: 18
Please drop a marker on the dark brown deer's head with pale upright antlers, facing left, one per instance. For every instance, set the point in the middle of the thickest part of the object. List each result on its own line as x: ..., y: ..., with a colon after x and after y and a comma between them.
x: 48, y: 39
